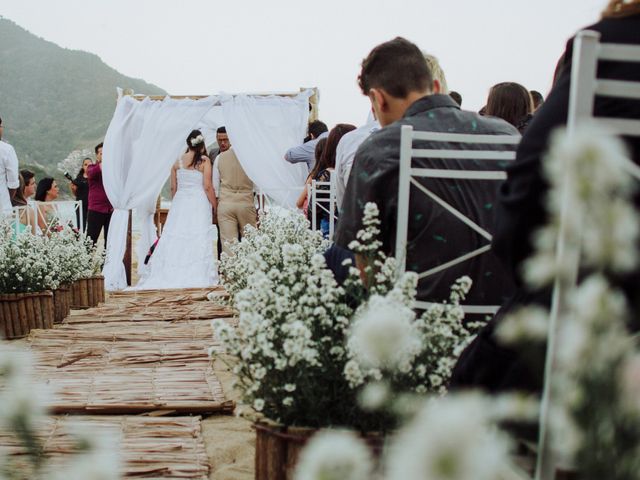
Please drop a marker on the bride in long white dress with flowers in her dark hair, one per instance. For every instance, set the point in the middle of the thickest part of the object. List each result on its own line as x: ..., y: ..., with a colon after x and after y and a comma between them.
x: 183, y: 256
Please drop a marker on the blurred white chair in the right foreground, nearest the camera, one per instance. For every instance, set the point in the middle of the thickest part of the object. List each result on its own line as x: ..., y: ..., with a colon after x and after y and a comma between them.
x: 585, y: 86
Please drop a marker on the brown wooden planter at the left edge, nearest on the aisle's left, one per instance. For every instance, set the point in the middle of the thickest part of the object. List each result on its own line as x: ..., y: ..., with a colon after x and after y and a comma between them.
x: 22, y: 312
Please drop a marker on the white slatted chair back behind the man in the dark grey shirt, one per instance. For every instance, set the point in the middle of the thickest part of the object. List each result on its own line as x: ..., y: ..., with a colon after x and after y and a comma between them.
x: 409, y: 174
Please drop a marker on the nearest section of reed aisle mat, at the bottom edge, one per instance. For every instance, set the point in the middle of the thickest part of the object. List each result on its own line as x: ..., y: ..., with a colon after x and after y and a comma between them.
x: 150, y: 447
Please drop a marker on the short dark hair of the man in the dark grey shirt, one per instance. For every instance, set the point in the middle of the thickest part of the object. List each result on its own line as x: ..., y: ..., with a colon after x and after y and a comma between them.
x: 398, y: 67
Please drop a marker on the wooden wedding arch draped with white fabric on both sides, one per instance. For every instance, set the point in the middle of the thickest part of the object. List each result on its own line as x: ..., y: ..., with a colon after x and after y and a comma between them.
x: 147, y: 134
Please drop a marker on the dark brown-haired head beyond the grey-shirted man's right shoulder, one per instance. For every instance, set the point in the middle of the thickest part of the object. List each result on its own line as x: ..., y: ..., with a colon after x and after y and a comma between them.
x: 511, y: 102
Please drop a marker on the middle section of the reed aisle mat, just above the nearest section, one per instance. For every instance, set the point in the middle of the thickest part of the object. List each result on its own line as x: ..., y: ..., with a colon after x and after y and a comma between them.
x: 129, y: 368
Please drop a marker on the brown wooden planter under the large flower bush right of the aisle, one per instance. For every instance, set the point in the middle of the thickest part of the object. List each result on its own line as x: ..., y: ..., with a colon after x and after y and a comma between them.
x: 278, y: 449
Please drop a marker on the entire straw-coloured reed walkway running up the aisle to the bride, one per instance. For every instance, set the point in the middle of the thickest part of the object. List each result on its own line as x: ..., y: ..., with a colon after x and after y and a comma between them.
x: 140, y: 353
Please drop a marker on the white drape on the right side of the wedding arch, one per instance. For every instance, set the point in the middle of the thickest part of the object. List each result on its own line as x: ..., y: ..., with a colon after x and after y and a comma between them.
x: 261, y: 130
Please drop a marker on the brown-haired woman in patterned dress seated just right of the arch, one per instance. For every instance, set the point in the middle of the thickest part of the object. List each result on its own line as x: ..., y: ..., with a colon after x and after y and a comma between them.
x: 322, y: 173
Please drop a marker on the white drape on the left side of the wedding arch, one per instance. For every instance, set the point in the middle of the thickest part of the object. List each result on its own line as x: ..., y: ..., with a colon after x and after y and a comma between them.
x: 143, y: 140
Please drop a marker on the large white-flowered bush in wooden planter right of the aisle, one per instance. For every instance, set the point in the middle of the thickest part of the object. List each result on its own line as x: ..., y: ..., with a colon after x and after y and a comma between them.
x: 289, y: 349
